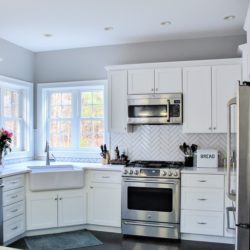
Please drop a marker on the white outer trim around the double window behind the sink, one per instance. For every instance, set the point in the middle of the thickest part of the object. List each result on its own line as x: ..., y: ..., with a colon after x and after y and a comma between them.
x: 42, y: 89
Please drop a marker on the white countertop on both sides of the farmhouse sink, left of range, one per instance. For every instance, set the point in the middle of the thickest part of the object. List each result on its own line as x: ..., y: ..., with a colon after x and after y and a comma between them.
x: 22, y: 167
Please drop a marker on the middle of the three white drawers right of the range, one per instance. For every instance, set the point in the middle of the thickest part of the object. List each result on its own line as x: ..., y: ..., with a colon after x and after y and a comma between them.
x: 202, y: 199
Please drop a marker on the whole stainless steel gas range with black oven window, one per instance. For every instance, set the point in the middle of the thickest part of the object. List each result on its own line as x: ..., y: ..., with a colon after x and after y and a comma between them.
x: 151, y: 199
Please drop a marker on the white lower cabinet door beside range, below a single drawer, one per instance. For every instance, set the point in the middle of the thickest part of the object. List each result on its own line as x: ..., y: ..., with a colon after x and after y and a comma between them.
x: 104, y: 204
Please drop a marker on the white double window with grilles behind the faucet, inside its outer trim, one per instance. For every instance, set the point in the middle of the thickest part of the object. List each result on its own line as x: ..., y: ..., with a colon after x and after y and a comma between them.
x: 74, y: 117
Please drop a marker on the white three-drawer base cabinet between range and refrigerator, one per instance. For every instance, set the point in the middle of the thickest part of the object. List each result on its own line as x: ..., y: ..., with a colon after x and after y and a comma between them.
x: 202, y: 204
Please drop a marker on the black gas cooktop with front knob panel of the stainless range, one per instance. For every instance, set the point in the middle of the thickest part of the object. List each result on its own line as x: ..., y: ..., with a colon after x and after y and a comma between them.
x: 153, y: 169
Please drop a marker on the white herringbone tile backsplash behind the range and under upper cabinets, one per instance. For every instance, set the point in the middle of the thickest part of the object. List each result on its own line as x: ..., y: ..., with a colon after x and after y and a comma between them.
x: 162, y: 142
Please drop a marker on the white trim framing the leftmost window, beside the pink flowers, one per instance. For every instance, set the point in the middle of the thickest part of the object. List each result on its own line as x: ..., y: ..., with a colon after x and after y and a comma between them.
x: 27, y: 102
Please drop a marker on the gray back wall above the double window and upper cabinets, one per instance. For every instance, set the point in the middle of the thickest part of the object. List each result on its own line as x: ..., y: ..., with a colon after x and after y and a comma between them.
x: 88, y: 63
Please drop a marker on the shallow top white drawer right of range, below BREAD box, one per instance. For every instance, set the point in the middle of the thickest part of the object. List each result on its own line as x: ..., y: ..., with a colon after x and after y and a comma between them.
x: 202, y: 180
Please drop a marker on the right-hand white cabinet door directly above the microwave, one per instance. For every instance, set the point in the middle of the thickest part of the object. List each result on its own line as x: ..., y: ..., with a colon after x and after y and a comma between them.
x: 168, y: 80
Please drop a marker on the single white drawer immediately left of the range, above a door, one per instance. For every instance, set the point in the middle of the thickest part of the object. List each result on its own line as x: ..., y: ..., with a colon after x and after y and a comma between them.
x: 106, y: 176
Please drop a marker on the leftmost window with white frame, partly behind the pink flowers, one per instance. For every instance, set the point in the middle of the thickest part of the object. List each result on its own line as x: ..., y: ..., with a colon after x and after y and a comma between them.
x: 16, y: 115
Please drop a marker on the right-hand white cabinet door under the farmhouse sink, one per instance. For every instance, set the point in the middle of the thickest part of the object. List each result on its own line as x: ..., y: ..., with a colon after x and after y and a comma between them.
x: 71, y: 208
